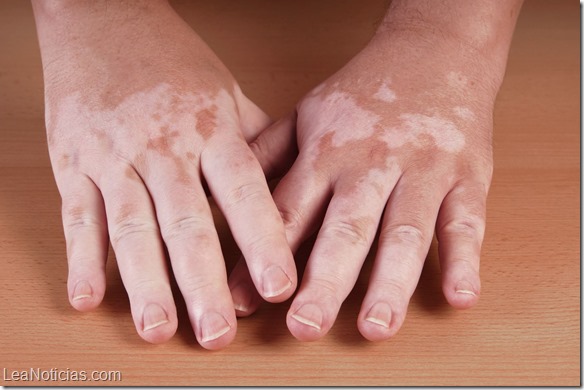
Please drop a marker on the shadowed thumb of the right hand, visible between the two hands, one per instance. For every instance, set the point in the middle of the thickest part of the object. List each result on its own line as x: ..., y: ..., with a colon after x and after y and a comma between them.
x: 276, y: 147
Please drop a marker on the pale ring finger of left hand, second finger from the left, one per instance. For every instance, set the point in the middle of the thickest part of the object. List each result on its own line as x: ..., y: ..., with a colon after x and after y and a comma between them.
x: 136, y: 241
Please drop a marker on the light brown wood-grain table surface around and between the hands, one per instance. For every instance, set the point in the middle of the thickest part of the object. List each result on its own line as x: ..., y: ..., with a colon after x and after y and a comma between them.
x: 524, y: 331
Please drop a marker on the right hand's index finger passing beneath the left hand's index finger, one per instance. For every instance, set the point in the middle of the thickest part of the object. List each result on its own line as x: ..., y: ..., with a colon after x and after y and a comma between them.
x: 300, y: 197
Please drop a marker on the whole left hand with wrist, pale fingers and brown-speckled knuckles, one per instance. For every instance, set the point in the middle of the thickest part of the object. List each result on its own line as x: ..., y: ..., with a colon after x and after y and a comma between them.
x: 139, y: 113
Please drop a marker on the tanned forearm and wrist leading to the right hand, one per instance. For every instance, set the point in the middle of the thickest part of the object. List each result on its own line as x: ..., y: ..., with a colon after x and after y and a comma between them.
x: 479, y: 30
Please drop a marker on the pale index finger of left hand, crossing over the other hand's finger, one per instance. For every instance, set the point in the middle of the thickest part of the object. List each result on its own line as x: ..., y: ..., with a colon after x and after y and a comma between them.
x: 237, y: 183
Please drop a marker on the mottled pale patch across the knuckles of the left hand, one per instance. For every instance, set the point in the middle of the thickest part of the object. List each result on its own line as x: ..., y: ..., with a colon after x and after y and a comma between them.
x: 178, y: 126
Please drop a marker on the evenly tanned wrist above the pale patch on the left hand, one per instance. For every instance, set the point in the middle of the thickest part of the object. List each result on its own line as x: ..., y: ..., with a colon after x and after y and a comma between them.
x: 114, y: 41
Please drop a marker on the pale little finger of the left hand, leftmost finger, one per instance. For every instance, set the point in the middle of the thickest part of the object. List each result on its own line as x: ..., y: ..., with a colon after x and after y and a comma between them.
x: 85, y: 229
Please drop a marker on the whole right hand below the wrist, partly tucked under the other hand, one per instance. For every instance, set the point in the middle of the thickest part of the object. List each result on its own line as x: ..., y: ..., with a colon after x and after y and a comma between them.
x: 398, y: 140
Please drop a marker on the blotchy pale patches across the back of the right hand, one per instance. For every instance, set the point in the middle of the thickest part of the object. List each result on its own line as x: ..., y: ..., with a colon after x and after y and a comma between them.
x: 374, y: 138
